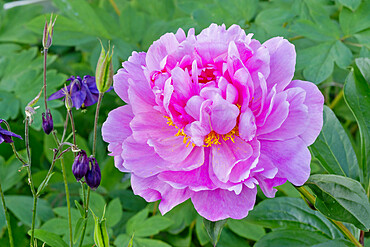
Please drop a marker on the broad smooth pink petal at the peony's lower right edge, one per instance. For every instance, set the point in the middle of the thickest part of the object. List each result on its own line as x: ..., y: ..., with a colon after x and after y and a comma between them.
x: 291, y: 157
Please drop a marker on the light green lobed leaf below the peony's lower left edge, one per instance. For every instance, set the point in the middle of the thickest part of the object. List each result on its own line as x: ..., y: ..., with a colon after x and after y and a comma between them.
x: 142, y: 226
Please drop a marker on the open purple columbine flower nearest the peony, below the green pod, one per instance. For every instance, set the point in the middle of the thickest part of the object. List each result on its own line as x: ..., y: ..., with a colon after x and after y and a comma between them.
x: 83, y: 92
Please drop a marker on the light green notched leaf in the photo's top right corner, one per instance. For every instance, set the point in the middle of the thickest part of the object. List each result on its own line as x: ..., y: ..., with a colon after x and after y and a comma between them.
x: 354, y: 22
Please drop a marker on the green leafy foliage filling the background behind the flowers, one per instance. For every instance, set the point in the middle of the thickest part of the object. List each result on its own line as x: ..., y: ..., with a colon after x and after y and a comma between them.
x: 332, y: 40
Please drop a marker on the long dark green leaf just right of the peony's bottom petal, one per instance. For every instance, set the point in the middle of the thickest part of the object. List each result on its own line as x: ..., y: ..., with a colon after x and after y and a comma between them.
x: 285, y: 212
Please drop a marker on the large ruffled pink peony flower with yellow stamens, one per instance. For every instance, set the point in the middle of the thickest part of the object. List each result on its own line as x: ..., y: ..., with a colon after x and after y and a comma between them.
x: 211, y: 116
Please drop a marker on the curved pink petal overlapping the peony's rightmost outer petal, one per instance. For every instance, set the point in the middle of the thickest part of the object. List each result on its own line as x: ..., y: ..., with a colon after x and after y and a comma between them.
x: 297, y: 120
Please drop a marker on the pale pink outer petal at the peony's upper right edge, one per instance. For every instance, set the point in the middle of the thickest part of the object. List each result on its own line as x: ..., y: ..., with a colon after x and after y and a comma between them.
x: 282, y: 62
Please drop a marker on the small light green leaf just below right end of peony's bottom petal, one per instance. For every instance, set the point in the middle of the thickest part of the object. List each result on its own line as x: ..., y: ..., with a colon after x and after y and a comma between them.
x: 246, y: 229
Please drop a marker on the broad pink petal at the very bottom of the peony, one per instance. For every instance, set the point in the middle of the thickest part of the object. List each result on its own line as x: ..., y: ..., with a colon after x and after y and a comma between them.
x: 219, y: 204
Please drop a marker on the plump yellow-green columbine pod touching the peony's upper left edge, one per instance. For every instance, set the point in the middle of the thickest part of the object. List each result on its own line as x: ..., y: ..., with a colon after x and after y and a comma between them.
x: 104, y: 70
